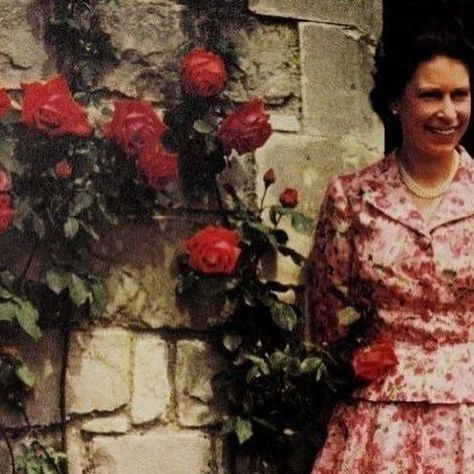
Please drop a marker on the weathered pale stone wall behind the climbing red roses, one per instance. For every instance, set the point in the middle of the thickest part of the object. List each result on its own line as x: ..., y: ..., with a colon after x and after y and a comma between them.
x: 139, y: 391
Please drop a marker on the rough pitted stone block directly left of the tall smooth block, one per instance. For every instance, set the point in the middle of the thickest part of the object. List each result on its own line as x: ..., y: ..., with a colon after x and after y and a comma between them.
x: 270, y: 64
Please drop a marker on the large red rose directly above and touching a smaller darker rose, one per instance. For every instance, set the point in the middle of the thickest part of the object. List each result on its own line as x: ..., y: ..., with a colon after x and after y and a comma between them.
x: 134, y: 126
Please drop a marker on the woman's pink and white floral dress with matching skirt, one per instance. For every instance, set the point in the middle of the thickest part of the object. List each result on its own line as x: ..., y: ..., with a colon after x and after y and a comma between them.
x: 373, y: 244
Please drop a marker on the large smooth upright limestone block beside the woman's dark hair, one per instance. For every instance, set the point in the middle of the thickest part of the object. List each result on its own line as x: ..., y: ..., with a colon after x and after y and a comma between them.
x: 336, y: 68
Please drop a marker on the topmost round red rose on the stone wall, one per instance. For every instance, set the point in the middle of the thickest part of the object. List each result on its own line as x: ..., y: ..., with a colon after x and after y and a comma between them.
x: 203, y: 73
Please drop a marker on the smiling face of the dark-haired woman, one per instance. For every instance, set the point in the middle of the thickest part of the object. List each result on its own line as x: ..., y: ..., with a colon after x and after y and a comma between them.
x: 435, y: 108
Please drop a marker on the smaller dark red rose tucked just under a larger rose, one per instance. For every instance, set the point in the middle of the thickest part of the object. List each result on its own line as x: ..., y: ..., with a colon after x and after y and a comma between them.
x: 159, y: 167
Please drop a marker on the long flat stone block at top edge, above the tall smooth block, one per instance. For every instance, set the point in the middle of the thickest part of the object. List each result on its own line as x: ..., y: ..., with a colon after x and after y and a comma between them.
x: 364, y: 14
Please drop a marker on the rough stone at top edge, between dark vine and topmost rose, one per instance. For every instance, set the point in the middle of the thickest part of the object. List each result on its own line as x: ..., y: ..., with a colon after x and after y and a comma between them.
x: 146, y: 35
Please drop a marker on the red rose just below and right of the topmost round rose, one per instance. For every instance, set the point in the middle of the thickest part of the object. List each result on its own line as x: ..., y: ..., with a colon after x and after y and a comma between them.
x: 247, y: 128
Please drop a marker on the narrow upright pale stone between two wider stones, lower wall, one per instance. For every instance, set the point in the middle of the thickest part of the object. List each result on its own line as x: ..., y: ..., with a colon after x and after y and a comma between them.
x: 151, y: 387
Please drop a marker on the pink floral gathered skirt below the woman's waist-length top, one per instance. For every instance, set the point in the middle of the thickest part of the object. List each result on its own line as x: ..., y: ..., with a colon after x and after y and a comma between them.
x: 366, y: 437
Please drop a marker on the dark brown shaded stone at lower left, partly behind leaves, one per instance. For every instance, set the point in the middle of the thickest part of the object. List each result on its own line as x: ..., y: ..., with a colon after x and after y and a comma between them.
x: 43, y: 357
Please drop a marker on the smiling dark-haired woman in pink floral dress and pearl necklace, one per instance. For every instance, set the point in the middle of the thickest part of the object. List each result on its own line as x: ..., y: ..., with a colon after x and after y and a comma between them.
x: 398, y: 237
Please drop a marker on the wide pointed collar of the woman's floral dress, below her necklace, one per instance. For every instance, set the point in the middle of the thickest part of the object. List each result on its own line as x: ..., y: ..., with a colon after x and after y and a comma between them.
x: 384, y: 190
